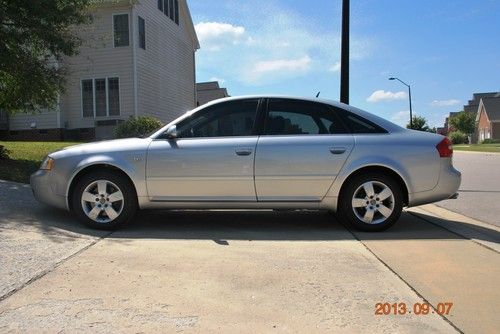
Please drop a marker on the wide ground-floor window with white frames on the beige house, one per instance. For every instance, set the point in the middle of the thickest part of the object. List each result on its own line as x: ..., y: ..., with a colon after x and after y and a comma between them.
x: 101, y: 97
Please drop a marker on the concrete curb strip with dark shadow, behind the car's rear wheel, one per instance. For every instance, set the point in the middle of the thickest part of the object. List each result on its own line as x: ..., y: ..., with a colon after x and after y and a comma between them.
x: 481, y: 233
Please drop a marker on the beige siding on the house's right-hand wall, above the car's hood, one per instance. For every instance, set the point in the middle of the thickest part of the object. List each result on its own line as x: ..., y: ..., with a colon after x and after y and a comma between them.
x: 165, y: 70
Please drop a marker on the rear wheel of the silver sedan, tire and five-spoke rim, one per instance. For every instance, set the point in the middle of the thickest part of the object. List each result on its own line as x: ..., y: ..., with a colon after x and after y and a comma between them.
x: 371, y: 202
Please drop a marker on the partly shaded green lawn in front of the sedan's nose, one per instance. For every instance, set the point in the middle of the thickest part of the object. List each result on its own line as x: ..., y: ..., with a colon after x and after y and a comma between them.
x: 25, y: 158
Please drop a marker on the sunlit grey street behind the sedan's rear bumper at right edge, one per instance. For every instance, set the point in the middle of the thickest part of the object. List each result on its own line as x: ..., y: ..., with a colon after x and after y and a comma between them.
x: 480, y: 190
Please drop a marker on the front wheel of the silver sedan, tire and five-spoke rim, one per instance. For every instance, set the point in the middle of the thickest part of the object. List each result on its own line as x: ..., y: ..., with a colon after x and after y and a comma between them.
x: 104, y: 200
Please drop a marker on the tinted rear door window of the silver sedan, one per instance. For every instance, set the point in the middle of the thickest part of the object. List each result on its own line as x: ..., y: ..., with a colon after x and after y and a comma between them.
x: 300, y: 118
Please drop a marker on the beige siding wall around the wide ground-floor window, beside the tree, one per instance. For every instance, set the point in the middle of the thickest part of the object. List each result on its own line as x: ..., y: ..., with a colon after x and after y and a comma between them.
x: 98, y: 58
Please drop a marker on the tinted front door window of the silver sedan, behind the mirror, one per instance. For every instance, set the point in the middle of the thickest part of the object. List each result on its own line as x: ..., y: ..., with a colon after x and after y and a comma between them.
x: 230, y: 119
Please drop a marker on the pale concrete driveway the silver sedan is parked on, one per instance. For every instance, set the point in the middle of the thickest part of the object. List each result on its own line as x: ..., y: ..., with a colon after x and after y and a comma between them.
x: 242, y: 272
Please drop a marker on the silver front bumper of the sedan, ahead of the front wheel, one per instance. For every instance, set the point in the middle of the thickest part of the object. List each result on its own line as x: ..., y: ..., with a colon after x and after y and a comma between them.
x: 43, y: 189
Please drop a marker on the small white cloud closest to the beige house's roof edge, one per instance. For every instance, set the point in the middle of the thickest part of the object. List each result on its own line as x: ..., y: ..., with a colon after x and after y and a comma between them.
x: 214, y: 36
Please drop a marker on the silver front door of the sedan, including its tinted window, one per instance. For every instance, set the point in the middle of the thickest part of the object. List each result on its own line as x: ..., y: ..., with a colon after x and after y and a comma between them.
x: 211, y: 160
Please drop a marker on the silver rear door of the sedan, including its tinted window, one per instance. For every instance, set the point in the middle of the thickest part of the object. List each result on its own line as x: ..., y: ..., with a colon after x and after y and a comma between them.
x: 301, y: 151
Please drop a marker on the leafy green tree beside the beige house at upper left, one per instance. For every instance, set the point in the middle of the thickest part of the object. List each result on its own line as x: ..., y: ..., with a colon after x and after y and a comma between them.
x: 35, y: 35
